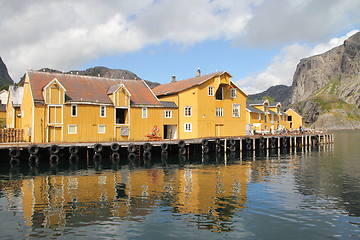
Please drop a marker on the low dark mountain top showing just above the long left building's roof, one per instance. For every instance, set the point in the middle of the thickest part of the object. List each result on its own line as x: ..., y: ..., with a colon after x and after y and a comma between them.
x: 104, y: 72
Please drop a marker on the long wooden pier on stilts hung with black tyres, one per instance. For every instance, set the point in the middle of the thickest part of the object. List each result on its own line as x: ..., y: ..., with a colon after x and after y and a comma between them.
x: 52, y: 152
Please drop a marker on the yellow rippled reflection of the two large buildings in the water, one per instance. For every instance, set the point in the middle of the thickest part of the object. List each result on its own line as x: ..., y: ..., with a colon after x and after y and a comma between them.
x: 61, y: 197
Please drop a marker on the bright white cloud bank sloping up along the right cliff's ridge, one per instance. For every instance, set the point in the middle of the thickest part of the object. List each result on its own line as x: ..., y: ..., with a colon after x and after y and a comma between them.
x: 282, y: 67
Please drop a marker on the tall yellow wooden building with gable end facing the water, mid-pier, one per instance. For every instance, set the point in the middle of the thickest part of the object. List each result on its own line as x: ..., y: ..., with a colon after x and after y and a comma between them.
x: 209, y: 106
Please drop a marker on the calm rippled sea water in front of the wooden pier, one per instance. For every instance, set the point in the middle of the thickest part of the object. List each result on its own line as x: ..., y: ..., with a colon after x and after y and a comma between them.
x: 309, y: 194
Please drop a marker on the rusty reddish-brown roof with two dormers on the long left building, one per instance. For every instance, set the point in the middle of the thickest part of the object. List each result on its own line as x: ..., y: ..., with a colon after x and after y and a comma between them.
x: 90, y: 89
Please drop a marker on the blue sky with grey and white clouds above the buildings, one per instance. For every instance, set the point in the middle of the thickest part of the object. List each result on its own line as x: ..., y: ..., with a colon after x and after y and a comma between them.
x: 259, y: 42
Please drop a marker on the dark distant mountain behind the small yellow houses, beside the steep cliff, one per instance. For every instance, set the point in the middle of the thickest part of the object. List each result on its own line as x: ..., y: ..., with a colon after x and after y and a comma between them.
x: 280, y: 93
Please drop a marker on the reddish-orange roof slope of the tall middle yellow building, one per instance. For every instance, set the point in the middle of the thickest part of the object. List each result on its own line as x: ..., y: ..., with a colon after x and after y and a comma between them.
x: 175, y: 87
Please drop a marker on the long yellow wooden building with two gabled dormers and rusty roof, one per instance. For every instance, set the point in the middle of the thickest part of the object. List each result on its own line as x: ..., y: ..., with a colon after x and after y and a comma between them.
x: 72, y: 108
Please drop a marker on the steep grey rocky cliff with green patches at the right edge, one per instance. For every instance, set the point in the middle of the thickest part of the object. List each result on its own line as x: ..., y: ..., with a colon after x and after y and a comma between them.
x: 326, y: 87
